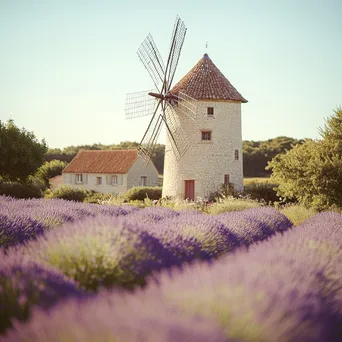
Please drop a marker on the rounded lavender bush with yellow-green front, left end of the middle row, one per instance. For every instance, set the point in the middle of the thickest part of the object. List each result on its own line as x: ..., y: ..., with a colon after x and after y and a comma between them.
x: 101, y: 251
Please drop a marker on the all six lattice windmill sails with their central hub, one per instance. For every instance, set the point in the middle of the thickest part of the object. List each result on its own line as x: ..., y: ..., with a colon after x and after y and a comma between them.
x: 160, y: 102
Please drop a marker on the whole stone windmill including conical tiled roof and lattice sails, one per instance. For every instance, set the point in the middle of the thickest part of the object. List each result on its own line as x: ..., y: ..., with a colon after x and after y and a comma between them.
x: 202, y: 115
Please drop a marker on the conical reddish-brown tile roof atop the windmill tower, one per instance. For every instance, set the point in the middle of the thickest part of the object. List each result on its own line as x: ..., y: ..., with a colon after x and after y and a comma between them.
x: 206, y: 82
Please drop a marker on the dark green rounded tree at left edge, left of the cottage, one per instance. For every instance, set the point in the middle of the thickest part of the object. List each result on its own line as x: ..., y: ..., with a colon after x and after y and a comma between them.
x: 21, y: 154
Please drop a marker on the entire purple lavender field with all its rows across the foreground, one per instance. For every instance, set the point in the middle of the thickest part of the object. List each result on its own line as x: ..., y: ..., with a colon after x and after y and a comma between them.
x: 84, y: 272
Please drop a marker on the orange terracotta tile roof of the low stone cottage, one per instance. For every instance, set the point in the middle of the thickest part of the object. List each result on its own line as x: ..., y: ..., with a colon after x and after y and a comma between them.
x: 108, y: 161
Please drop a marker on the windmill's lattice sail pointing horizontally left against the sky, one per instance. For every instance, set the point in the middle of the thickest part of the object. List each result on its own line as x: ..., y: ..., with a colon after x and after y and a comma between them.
x: 139, y: 104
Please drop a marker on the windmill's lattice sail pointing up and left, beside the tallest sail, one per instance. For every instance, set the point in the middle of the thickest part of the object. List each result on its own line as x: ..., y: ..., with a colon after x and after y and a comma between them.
x: 152, y: 60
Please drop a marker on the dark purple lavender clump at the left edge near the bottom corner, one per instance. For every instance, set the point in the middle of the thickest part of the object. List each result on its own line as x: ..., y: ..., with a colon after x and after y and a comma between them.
x: 24, y: 283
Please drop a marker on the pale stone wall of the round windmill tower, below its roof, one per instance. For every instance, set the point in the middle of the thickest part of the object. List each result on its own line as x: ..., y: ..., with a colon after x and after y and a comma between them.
x: 207, y: 162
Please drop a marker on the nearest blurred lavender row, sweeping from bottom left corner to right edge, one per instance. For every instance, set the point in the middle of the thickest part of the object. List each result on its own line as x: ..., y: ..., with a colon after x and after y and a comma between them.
x: 288, y: 288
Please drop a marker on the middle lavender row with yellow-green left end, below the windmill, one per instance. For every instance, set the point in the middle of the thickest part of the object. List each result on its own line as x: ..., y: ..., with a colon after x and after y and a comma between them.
x: 103, y: 251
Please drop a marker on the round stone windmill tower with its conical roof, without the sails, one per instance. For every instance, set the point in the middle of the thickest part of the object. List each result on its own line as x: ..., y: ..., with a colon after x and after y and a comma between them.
x: 215, y: 153
